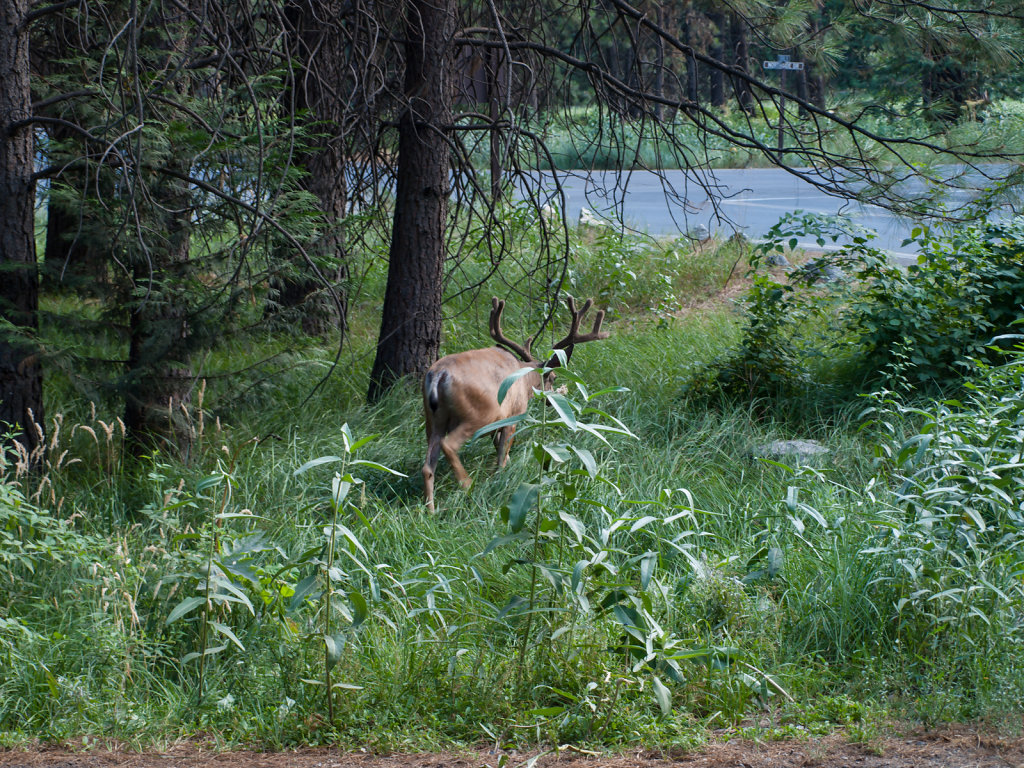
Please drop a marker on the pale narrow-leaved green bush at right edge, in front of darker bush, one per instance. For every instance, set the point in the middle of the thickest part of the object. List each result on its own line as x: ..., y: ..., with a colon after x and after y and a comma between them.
x: 948, y: 557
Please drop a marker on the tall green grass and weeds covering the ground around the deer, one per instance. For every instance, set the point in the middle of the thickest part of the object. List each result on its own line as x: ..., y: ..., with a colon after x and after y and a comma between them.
x: 688, y: 585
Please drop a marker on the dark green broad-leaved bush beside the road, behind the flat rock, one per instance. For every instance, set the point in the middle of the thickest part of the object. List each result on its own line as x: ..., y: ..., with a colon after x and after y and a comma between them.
x: 921, y: 327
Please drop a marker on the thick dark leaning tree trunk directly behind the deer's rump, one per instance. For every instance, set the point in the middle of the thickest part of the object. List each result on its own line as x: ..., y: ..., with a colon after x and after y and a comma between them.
x: 411, y: 326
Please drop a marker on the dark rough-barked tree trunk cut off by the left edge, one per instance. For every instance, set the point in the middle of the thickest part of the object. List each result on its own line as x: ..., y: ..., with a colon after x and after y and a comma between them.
x: 21, y: 374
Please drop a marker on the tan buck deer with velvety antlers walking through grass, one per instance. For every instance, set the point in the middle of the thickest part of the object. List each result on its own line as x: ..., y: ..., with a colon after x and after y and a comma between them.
x: 460, y: 392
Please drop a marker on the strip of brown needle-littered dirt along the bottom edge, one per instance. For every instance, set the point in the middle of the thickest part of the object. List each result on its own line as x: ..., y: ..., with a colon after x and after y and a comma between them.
x: 952, y: 748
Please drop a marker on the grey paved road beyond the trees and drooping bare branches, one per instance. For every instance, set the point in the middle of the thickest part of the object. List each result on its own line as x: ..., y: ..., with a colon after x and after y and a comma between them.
x: 750, y: 201
